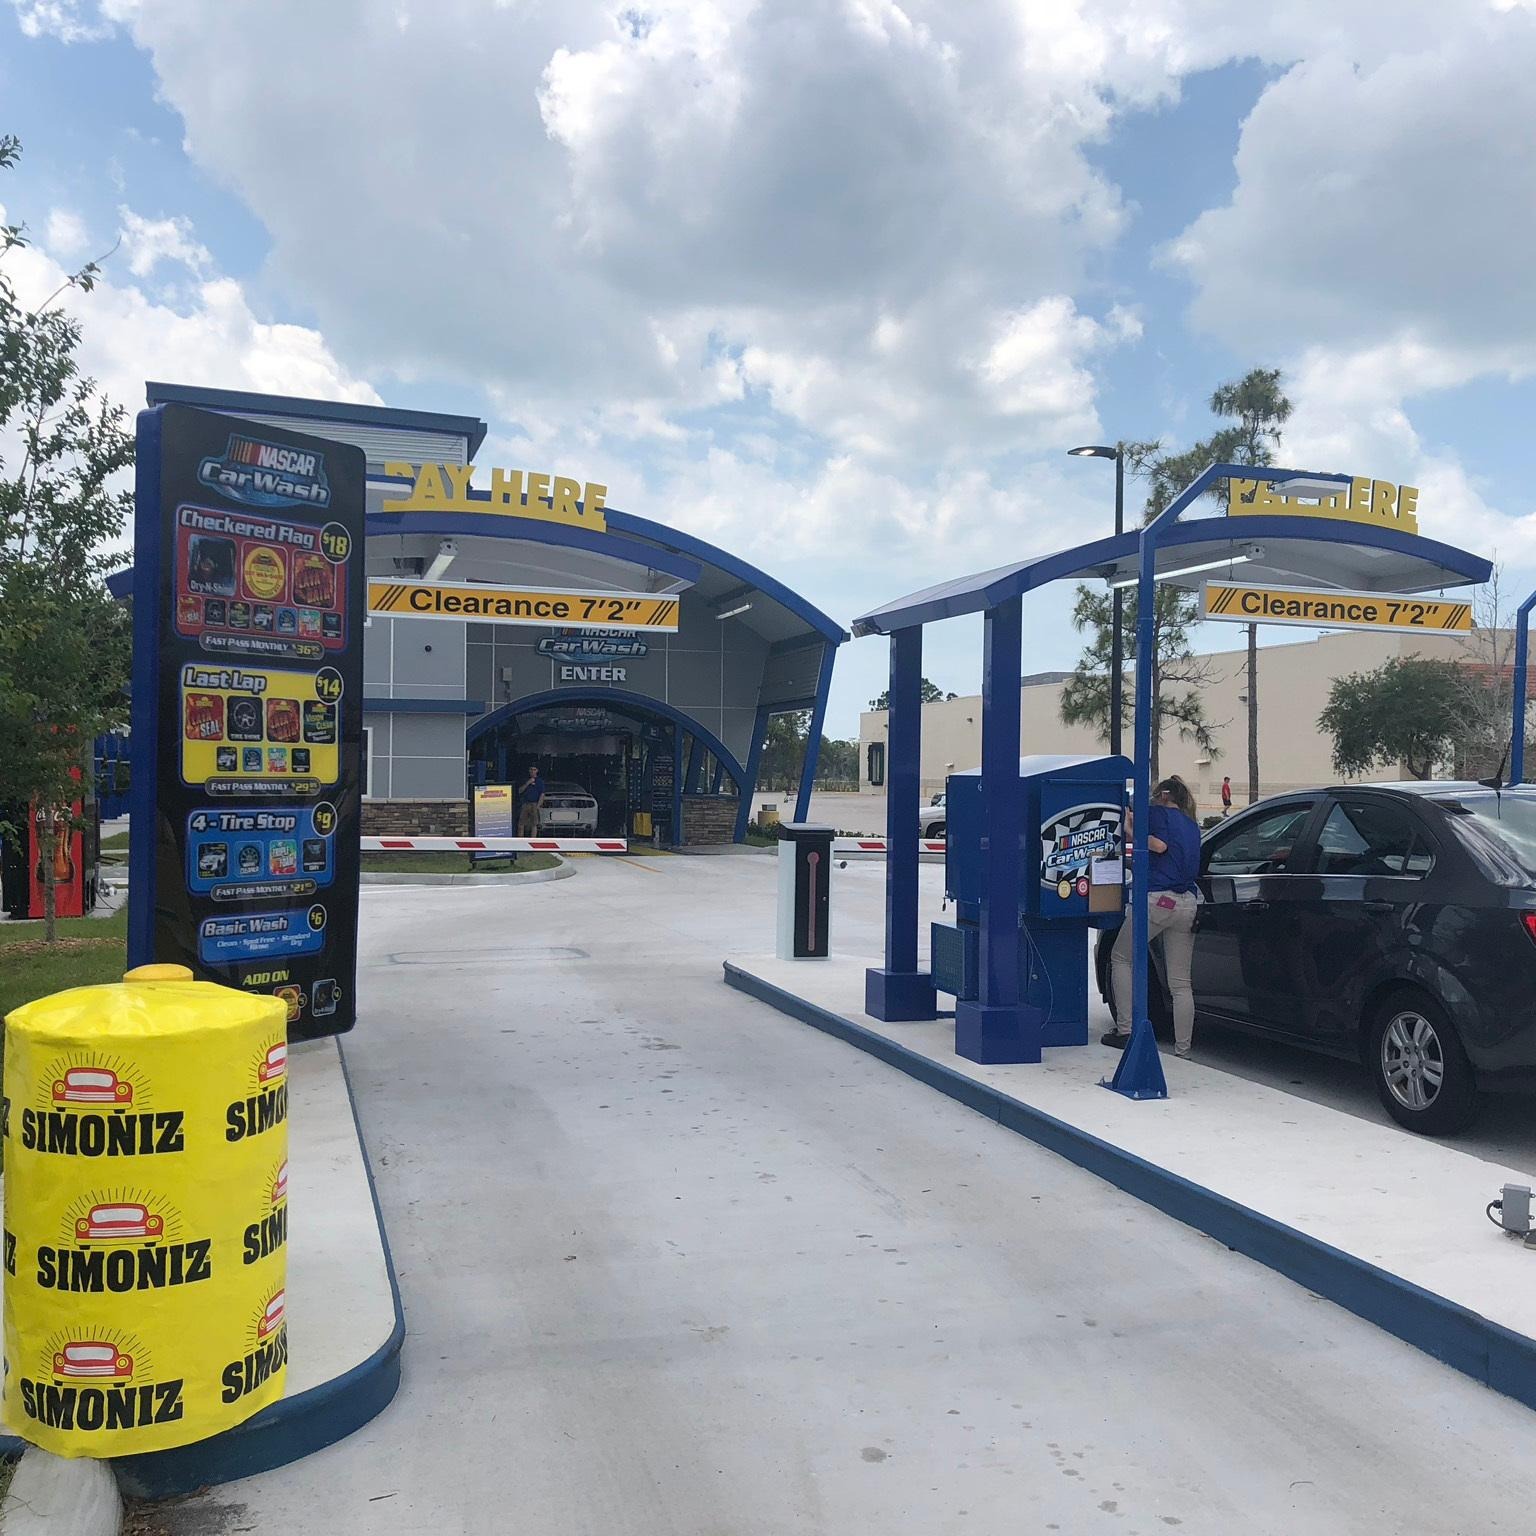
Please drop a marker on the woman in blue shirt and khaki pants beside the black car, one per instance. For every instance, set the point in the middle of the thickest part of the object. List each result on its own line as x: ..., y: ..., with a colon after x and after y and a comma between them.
x: 1173, y: 904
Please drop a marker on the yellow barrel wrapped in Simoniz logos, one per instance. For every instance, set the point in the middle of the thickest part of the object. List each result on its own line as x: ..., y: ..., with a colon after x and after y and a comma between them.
x: 145, y: 1213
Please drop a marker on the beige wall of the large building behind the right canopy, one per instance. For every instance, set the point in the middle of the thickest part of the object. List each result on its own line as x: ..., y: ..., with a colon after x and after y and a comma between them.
x: 1294, y: 686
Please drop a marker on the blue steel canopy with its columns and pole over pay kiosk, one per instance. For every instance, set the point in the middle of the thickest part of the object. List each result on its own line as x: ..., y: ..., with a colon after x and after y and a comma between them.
x: 996, y: 1027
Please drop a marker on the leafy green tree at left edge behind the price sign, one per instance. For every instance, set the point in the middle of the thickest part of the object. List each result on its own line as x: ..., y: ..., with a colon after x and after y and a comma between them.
x: 64, y: 641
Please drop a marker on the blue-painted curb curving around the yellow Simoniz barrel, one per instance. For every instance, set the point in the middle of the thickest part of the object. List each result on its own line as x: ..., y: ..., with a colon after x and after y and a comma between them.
x: 296, y: 1426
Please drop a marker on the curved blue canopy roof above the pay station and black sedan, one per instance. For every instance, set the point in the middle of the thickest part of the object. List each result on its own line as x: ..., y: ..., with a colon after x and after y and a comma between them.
x: 1280, y: 551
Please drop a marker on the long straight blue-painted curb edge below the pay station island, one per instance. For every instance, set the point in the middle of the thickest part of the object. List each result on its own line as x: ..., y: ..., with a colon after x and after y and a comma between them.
x: 1489, y: 1352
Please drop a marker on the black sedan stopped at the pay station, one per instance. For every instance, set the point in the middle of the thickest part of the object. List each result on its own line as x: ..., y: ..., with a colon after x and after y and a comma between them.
x: 1389, y: 924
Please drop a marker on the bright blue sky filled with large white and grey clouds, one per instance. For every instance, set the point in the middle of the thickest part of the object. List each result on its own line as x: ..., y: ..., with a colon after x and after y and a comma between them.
x: 833, y: 283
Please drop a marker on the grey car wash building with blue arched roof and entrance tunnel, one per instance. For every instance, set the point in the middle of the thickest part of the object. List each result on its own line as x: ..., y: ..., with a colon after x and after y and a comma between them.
x: 517, y: 620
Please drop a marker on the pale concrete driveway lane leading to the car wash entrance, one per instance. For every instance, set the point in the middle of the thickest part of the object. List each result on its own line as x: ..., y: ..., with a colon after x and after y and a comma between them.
x: 677, y: 1265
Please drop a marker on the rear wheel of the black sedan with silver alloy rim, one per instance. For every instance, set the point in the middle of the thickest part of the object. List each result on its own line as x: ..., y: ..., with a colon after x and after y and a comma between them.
x: 1422, y: 1071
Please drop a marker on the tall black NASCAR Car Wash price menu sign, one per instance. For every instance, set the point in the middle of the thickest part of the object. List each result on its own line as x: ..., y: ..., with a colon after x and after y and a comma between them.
x: 248, y: 710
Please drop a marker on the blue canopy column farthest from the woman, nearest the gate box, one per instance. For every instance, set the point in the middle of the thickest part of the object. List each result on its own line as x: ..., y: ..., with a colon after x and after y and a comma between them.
x: 899, y: 991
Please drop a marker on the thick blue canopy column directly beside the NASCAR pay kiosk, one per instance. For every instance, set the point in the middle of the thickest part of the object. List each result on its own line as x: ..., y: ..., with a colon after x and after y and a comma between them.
x: 996, y: 1025
